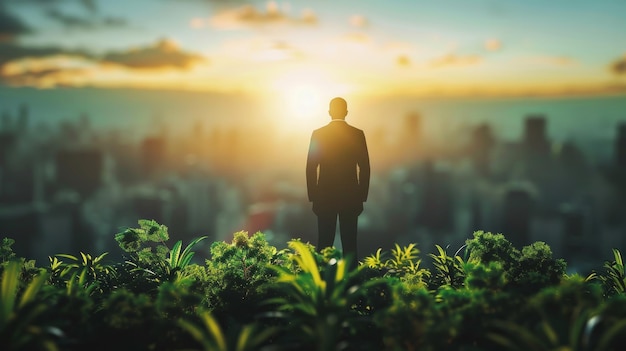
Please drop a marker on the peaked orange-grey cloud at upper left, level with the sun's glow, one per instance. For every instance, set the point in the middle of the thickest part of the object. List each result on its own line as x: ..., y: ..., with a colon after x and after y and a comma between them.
x: 164, y: 54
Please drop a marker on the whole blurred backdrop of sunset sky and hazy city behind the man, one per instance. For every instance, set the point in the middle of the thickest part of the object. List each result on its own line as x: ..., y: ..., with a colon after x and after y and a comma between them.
x: 502, y: 116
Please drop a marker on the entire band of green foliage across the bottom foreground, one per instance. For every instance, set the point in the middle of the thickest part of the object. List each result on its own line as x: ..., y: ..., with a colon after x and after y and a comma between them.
x: 250, y: 296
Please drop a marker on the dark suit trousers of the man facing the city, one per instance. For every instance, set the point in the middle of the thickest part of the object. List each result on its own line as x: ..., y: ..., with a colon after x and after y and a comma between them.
x: 326, y: 226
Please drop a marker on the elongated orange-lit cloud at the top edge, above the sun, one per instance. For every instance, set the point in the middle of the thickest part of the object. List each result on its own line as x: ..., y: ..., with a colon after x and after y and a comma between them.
x: 250, y: 16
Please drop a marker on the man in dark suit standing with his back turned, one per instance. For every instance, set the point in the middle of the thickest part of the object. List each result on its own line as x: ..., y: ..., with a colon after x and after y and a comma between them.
x: 338, y: 177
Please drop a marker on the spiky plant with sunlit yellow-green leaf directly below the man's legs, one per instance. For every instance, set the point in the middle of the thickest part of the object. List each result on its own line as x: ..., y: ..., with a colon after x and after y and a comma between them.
x: 319, y: 310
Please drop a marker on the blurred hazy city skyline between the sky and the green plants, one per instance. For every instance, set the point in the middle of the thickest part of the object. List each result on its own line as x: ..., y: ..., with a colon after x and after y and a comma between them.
x: 70, y: 187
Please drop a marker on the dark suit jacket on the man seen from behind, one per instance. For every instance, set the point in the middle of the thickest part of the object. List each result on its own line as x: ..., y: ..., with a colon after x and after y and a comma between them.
x: 338, y: 168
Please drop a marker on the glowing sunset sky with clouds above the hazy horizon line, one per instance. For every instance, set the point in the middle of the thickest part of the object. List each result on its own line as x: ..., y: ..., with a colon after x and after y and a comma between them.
x: 310, y: 48
